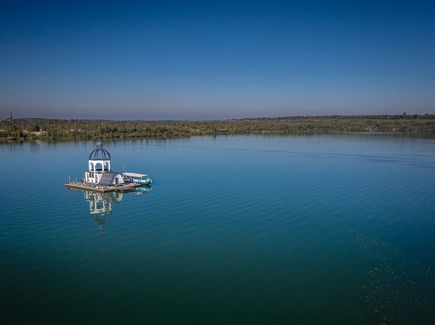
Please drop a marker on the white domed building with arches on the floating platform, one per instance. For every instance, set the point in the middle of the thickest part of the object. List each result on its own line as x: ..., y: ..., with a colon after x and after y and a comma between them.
x: 99, y: 170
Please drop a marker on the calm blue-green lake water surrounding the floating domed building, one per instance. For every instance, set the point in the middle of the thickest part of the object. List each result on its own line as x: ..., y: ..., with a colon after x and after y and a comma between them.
x: 243, y: 229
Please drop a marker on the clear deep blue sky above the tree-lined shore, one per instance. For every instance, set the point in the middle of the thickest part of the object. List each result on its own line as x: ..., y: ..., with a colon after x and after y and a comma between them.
x: 215, y: 59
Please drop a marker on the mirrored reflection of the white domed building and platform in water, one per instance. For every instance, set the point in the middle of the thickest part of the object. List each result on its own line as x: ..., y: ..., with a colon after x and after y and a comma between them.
x: 100, y: 204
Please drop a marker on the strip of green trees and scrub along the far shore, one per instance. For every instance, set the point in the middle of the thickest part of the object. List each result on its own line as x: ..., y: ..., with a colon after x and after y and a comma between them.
x: 20, y: 130
